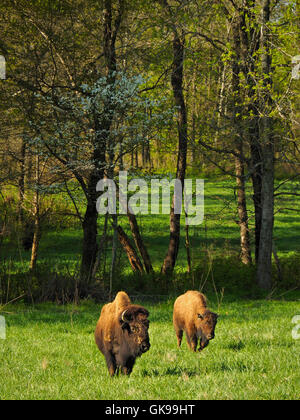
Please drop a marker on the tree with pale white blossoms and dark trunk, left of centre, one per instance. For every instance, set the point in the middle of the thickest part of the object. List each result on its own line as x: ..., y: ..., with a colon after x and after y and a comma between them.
x: 87, y: 131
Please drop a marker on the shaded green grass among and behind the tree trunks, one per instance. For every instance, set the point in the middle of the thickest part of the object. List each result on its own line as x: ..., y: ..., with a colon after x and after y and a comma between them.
x: 214, y: 249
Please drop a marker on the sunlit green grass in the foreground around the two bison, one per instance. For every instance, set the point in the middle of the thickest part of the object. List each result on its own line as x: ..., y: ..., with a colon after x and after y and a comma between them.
x: 49, y: 353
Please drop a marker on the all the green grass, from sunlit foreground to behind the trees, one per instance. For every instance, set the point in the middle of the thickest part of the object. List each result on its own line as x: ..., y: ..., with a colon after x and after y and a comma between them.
x: 49, y: 351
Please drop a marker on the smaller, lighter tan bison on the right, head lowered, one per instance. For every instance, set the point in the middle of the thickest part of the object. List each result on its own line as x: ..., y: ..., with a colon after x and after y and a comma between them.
x: 192, y: 316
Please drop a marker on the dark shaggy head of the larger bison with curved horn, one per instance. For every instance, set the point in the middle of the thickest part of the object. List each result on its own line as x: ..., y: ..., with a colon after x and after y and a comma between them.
x: 134, y: 321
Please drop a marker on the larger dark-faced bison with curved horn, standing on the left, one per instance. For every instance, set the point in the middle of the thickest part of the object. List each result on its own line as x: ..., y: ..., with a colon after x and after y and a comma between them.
x: 122, y: 333
